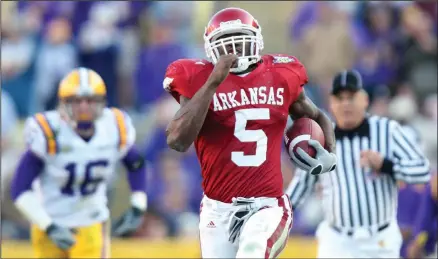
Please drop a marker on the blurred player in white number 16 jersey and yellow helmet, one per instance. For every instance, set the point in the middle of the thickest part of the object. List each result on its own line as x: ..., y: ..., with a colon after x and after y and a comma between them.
x: 73, y: 151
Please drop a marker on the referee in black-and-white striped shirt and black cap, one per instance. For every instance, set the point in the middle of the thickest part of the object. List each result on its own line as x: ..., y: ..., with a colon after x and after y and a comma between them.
x: 360, y: 195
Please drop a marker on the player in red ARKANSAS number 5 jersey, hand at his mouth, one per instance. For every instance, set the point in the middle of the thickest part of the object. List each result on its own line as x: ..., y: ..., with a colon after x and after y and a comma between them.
x: 234, y: 109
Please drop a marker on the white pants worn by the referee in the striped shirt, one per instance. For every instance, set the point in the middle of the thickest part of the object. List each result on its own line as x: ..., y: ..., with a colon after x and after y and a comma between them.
x: 362, y: 244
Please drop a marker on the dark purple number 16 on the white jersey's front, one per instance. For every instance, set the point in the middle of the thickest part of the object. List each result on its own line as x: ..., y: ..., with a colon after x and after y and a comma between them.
x: 89, y: 184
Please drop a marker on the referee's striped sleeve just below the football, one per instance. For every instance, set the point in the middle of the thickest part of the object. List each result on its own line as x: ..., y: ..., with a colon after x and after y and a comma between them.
x: 301, y: 187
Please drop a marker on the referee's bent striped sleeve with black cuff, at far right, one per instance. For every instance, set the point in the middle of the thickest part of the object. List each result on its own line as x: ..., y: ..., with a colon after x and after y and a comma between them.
x: 409, y: 163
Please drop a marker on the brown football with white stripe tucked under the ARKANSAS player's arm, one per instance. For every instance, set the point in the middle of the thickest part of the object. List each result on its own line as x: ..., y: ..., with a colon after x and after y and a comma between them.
x: 298, y: 135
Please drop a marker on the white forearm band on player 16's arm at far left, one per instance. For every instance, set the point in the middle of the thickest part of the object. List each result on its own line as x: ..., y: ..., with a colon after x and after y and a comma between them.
x: 31, y: 207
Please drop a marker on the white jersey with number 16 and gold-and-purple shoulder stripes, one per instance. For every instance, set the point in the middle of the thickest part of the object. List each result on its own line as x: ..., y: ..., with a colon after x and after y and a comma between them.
x: 73, y: 183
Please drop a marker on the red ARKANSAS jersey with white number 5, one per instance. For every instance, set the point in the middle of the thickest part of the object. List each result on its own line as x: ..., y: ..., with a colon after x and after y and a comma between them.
x: 239, y: 145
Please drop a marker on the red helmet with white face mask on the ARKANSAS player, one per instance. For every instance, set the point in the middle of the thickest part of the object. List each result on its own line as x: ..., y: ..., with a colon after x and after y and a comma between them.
x: 234, y: 31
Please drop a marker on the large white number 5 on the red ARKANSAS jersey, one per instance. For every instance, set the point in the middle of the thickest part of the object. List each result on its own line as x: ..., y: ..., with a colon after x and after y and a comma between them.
x: 244, y: 135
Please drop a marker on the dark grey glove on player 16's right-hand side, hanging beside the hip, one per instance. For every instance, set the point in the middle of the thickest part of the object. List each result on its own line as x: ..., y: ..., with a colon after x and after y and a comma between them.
x: 128, y: 223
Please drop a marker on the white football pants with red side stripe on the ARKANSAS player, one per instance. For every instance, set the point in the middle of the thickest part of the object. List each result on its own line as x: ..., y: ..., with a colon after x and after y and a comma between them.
x: 264, y: 235
